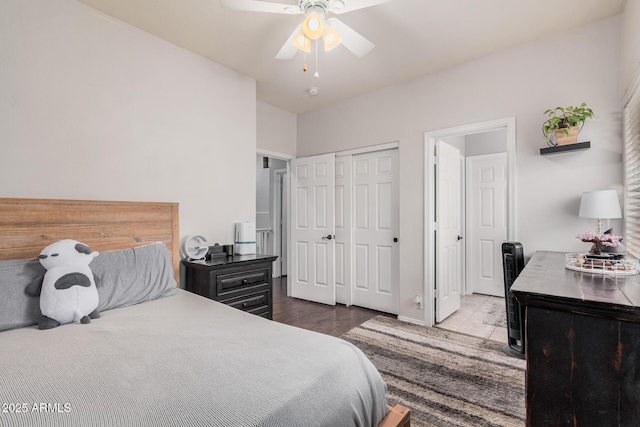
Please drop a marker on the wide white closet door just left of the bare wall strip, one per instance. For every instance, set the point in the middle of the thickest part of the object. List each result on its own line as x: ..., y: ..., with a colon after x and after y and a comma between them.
x: 375, y: 257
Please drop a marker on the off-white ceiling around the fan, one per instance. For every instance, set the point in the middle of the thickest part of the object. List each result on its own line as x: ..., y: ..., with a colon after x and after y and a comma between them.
x: 413, y: 38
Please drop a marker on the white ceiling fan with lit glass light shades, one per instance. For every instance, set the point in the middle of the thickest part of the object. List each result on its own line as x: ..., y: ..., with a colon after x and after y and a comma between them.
x: 315, y: 25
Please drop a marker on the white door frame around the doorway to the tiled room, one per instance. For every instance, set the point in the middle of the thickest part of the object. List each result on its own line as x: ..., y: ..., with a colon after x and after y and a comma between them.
x: 430, y: 137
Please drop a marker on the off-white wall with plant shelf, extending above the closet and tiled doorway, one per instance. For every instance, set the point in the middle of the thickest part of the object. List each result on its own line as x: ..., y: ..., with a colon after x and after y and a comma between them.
x: 582, y: 64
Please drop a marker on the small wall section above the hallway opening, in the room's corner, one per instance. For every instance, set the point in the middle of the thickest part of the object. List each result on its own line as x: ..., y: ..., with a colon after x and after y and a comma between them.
x: 276, y: 129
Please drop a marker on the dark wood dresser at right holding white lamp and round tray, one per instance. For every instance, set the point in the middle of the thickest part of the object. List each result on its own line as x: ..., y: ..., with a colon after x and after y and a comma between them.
x: 582, y: 345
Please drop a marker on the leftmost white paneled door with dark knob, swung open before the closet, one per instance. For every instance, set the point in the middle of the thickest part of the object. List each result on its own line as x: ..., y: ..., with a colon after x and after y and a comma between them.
x: 313, y: 228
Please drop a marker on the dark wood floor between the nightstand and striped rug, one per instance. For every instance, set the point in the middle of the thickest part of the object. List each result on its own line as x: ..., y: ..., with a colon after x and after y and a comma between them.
x: 327, y: 319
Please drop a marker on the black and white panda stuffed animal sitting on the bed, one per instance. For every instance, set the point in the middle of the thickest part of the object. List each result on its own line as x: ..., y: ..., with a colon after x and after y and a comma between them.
x: 68, y: 291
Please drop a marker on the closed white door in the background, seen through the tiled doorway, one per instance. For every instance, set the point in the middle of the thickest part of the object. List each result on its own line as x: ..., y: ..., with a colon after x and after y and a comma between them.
x: 486, y: 222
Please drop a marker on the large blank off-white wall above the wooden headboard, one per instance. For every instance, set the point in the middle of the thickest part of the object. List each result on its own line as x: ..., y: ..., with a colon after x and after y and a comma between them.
x: 92, y: 108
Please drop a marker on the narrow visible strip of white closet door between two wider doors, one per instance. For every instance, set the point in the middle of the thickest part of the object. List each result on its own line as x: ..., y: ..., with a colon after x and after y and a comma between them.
x: 343, y: 229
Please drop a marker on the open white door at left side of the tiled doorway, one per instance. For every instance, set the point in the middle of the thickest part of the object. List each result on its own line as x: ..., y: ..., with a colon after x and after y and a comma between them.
x: 448, y: 233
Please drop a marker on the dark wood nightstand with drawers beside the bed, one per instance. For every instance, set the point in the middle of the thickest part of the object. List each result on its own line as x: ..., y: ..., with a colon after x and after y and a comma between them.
x: 241, y: 281
